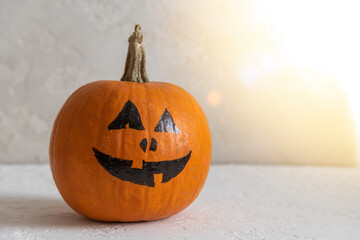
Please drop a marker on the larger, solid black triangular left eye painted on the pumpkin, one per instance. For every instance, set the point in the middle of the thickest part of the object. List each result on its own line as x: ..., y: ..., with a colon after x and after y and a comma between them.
x: 128, y: 115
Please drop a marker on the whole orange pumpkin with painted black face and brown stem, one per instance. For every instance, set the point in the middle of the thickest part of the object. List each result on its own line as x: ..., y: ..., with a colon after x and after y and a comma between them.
x: 130, y: 150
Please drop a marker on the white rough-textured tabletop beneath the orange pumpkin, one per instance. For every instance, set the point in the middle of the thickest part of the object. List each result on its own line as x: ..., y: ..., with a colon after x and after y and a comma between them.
x: 238, y: 202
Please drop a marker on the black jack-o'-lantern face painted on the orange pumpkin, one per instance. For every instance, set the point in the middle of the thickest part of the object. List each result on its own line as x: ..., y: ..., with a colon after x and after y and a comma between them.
x: 121, y: 168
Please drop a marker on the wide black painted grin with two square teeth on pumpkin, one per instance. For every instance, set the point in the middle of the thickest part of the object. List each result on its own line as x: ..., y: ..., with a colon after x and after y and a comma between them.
x: 121, y: 168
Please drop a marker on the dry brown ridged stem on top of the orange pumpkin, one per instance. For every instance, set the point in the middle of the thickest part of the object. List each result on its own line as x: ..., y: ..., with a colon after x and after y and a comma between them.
x: 135, y: 70
